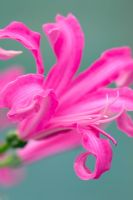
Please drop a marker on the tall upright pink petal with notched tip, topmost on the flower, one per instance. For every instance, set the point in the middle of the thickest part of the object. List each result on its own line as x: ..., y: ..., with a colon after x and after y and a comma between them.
x: 67, y: 40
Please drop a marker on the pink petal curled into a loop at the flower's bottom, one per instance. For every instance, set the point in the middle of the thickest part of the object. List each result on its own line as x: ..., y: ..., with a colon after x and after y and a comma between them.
x: 100, y: 149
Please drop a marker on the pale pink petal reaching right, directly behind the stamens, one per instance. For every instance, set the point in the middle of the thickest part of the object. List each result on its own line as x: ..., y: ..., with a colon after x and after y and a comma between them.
x: 118, y: 98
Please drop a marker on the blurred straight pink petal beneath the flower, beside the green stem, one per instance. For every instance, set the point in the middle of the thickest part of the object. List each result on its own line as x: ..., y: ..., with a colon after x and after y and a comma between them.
x: 36, y: 150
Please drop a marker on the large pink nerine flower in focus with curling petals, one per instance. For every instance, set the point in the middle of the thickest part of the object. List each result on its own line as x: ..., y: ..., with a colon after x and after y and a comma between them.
x: 63, y: 109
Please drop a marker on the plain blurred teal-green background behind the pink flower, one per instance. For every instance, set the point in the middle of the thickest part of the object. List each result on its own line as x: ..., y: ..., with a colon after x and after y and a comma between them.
x: 106, y: 24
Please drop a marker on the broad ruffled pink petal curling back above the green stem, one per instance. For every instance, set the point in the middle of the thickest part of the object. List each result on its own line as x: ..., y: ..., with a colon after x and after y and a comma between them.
x: 29, y: 104
